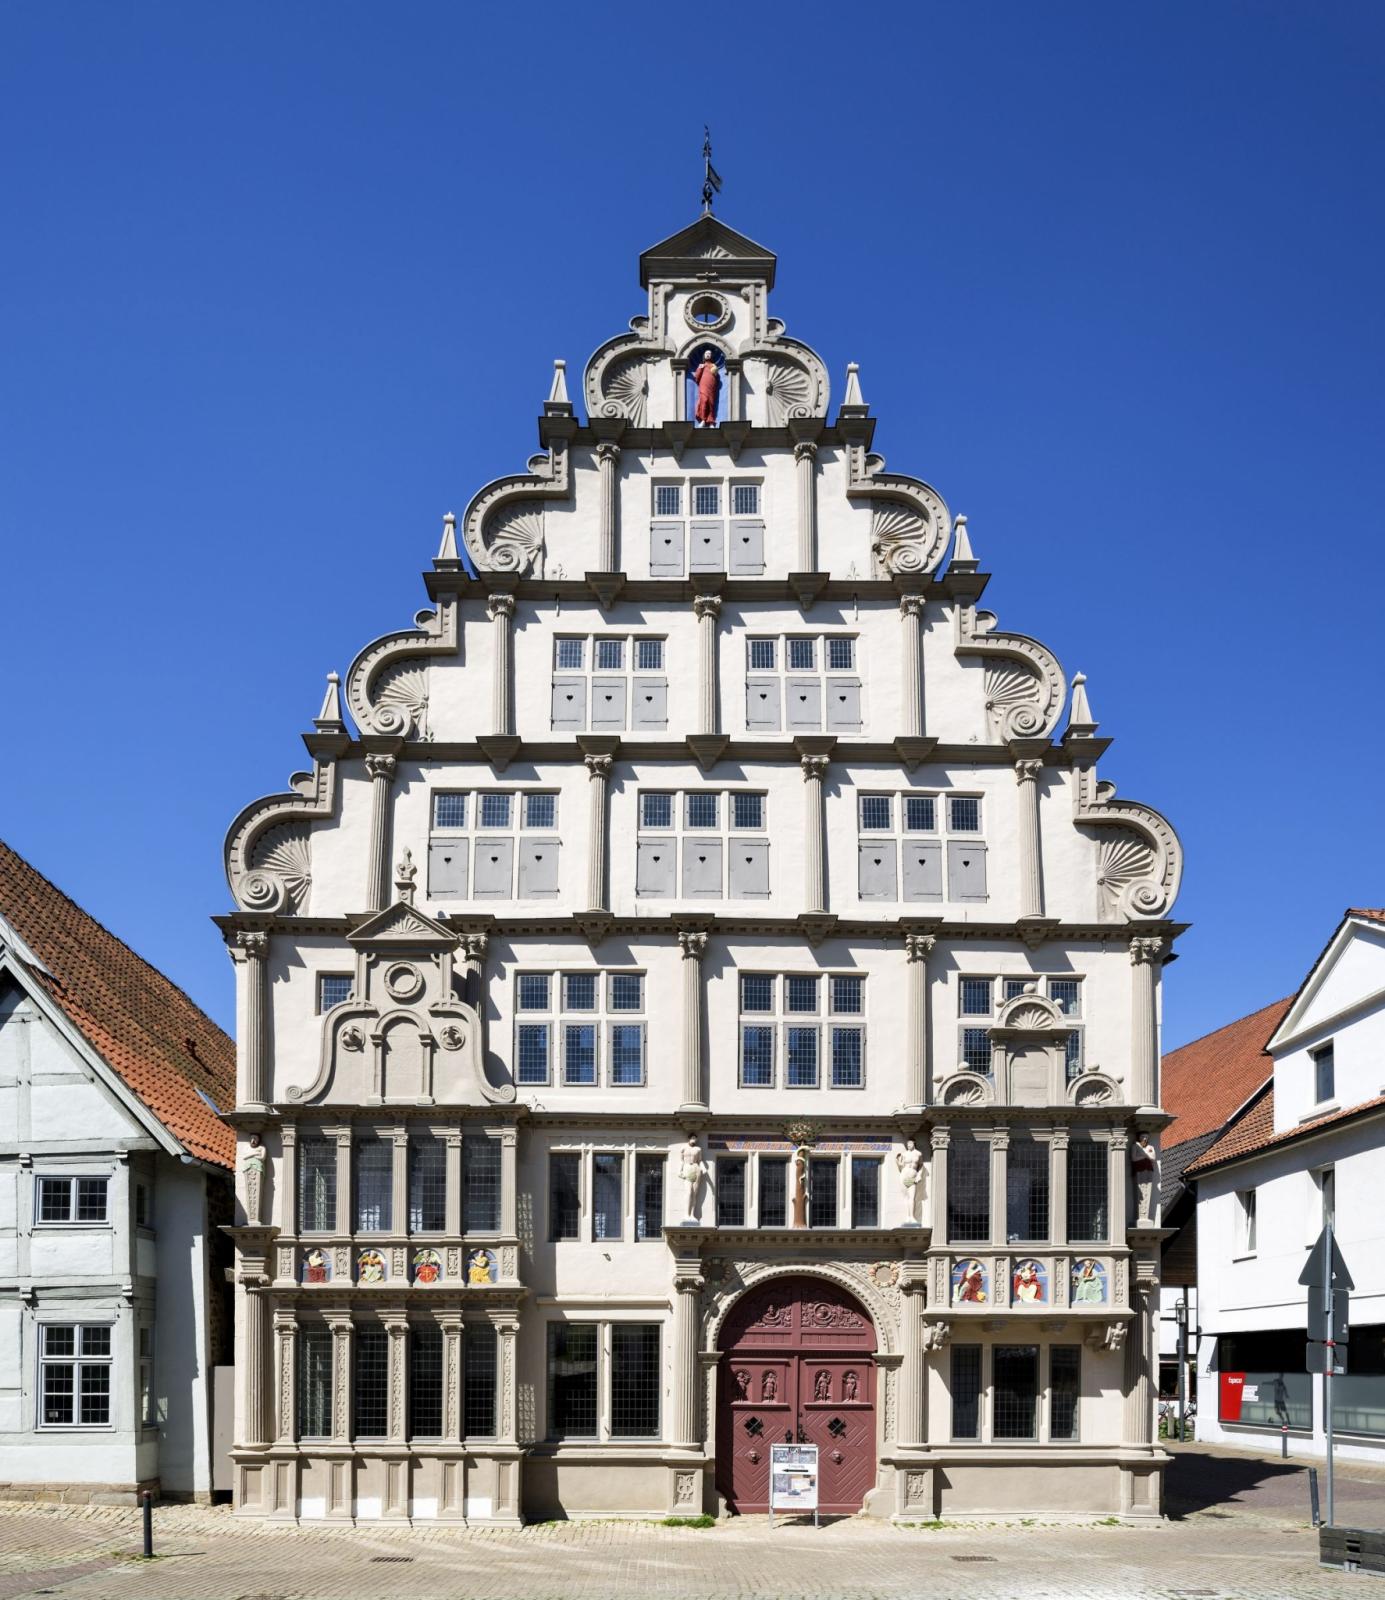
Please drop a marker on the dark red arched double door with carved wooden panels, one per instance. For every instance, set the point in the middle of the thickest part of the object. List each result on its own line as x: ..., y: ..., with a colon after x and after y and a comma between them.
x: 797, y: 1366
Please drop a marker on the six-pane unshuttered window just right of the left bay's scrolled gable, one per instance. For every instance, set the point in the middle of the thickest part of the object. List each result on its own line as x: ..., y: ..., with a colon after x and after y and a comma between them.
x: 581, y: 1030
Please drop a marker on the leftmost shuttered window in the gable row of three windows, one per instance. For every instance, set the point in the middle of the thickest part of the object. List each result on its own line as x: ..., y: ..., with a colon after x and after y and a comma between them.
x: 495, y: 844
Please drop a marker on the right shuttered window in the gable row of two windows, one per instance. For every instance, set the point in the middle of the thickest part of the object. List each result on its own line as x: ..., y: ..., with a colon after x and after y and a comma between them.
x: 802, y: 682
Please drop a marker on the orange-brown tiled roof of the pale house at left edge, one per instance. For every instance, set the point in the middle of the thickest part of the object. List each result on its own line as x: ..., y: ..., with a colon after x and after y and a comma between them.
x: 142, y: 1025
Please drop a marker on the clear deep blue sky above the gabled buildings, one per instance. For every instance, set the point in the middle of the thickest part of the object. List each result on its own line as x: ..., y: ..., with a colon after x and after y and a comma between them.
x: 284, y: 284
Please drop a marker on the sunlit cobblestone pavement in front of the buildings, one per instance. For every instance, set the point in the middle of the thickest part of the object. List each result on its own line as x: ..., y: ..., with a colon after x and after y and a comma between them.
x: 1239, y: 1532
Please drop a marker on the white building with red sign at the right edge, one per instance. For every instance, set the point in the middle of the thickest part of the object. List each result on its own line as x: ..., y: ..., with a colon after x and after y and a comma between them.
x: 1307, y: 1146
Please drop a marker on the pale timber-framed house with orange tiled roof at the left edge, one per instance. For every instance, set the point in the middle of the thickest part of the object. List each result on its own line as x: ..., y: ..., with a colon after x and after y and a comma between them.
x: 114, y: 1186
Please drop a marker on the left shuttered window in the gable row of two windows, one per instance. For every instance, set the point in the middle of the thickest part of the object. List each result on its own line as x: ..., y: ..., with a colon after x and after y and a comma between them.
x: 610, y: 682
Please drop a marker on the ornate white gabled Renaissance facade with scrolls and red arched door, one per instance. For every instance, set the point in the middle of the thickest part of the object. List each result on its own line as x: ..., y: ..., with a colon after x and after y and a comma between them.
x: 706, y: 999
